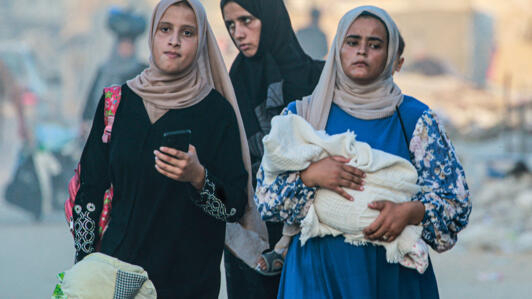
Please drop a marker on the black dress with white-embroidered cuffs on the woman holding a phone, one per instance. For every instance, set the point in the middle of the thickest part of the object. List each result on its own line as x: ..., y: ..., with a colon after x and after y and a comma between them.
x: 167, y: 227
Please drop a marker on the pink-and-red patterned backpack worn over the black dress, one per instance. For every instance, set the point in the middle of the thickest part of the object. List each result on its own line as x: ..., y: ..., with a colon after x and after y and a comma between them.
x: 112, y: 99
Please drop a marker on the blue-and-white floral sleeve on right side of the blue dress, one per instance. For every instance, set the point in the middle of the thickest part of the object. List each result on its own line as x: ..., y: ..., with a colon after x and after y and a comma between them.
x: 444, y: 192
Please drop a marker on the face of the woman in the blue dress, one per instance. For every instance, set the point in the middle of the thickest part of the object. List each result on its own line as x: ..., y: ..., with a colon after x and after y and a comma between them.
x: 364, y: 50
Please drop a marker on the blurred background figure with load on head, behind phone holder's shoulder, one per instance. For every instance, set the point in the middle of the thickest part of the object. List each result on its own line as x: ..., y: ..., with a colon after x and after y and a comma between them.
x: 123, y: 63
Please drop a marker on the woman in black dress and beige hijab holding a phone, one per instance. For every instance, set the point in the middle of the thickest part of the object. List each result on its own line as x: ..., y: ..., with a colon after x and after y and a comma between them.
x: 170, y: 206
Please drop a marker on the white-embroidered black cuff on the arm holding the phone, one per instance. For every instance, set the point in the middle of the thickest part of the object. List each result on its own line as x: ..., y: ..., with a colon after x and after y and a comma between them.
x: 211, y: 204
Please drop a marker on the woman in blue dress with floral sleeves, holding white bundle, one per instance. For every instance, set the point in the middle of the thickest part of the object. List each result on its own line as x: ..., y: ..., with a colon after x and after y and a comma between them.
x: 356, y: 92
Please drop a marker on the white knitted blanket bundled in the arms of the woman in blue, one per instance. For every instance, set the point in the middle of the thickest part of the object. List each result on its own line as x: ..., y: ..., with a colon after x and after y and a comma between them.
x: 293, y: 144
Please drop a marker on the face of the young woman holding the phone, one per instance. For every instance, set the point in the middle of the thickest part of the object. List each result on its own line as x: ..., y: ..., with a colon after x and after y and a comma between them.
x: 176, y: 39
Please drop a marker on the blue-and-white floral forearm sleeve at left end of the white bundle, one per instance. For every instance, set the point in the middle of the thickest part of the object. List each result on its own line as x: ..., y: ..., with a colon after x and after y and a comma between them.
x: 287, y: 199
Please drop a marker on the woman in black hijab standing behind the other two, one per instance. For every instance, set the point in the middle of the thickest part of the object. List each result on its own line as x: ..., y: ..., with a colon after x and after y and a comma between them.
x: 270, y: 71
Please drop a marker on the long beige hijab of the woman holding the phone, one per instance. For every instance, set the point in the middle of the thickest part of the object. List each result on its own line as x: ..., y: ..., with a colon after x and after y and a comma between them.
x: 162, y: 92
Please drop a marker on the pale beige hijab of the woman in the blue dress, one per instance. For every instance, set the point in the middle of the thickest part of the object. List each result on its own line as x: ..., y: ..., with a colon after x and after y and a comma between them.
x: 375, y: 100
